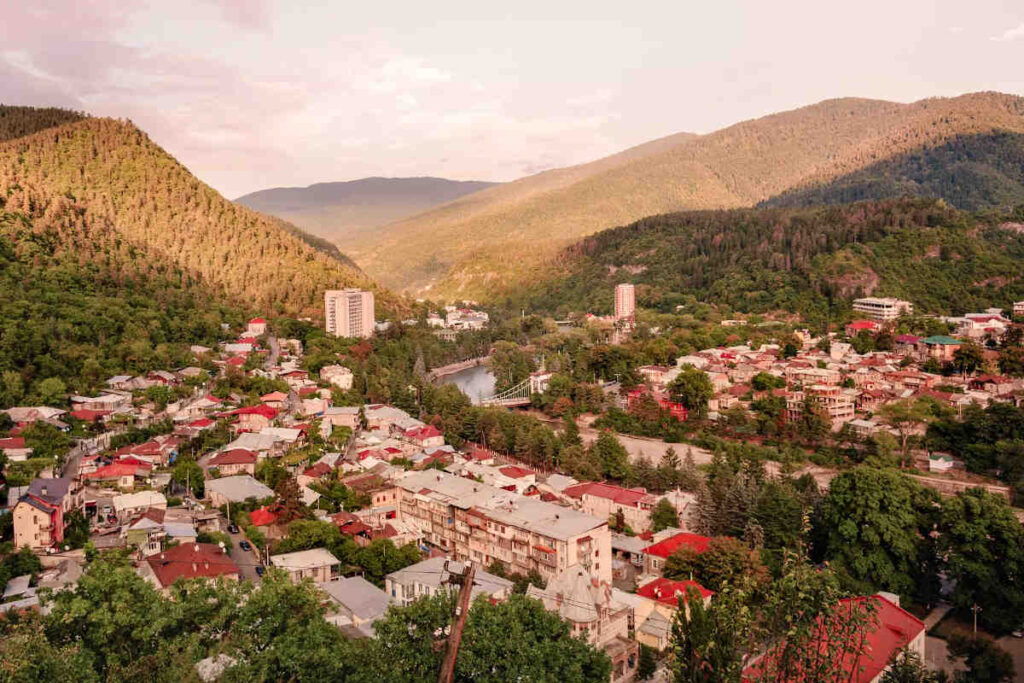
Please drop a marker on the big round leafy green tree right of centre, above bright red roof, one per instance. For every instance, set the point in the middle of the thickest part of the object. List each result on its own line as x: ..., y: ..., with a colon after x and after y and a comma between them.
x: 875, y: 527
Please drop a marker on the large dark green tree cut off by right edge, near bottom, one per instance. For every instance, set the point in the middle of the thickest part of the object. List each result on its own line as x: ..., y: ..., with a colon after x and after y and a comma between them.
x: 984, y: 544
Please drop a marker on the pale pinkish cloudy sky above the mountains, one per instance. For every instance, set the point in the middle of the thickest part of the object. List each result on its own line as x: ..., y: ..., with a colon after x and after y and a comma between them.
x: 259, y: 94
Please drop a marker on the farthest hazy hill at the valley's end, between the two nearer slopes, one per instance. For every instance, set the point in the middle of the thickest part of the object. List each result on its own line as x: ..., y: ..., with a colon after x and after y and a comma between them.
x: 352, y: 212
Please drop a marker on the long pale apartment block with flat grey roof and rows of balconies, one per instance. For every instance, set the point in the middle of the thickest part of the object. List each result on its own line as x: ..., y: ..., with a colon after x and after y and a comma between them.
x: 471, y: 521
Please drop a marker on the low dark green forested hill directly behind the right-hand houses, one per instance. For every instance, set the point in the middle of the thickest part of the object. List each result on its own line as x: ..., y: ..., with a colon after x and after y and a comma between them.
x: 796, y: 261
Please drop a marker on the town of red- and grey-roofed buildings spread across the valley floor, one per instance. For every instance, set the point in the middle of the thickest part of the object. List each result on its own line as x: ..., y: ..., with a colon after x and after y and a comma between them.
x: 264, y: 459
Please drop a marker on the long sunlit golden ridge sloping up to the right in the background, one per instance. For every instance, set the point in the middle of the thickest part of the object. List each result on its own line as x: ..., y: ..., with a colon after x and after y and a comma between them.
x: 483, y: 242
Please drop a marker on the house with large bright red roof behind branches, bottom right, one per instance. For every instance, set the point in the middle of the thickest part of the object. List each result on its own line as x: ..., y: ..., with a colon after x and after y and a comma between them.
x: 893, y: 631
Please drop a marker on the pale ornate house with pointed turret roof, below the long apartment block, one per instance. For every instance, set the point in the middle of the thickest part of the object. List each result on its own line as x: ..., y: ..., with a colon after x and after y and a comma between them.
x: 595, y: 613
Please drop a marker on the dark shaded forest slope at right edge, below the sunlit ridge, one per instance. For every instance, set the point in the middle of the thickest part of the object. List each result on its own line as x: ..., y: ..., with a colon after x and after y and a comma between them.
x: 971, y: 173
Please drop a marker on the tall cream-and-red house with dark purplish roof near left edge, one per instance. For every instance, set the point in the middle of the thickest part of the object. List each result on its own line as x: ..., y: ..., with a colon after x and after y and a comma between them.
x: 39, y: 517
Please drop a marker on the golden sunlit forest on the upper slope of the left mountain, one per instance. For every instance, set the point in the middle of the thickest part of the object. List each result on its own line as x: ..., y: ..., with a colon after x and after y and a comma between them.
x: 112, y: 175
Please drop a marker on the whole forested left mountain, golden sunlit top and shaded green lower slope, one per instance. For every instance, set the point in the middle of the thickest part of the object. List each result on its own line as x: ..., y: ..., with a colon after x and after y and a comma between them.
x: 114, y: 258
